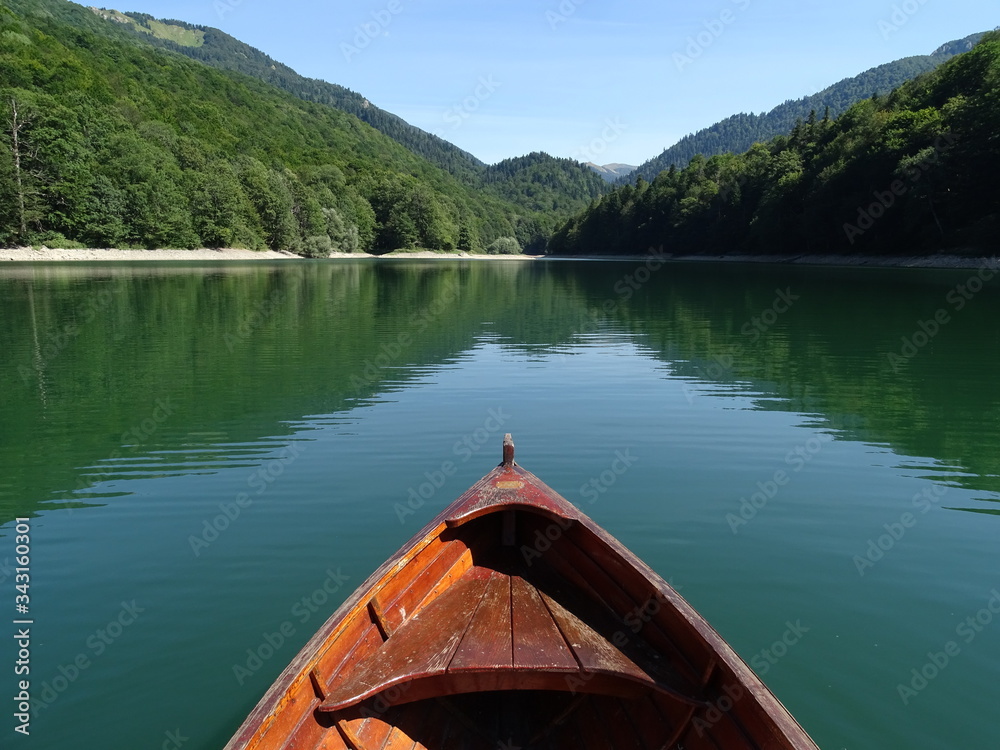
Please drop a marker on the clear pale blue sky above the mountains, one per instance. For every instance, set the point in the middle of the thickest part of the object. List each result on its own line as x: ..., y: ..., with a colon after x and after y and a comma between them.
x: 601, y: 80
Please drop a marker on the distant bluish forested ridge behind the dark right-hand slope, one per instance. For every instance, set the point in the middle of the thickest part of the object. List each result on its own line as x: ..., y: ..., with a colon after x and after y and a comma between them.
x: 737, y: 133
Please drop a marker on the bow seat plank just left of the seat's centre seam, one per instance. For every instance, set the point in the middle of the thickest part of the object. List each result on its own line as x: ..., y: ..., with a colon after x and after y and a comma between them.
x: 487, y: 642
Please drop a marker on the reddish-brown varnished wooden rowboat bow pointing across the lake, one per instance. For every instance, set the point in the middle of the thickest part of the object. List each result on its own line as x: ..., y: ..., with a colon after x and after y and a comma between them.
x: 514, y: 621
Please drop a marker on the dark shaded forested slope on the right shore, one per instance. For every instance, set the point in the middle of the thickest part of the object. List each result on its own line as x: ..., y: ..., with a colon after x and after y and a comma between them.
x: 914, y: 171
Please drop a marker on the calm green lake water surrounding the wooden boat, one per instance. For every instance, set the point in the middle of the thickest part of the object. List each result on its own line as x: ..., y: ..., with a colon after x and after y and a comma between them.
x: 212, y: 457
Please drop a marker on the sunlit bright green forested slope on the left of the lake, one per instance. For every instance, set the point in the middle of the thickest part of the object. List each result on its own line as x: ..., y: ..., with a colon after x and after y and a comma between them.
x: 106, y: 141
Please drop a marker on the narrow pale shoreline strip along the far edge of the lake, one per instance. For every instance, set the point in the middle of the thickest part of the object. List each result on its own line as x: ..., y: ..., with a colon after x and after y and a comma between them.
x: 942, y: 260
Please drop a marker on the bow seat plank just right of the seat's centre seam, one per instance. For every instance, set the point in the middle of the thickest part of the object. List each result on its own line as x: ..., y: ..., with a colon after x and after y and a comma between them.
x: 538, y: 643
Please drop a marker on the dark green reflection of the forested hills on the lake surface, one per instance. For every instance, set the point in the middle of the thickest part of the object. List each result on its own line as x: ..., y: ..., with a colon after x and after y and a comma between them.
x: 91, y: 353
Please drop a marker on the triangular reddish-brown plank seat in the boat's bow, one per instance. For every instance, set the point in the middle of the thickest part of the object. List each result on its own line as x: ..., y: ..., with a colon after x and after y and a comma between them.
x: 493, y: 631
